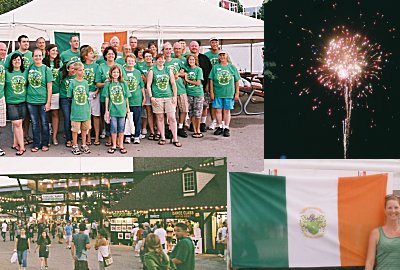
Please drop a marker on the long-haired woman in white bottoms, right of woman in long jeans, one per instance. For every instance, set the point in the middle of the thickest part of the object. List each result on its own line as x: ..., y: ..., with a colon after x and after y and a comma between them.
x: 53, y: 61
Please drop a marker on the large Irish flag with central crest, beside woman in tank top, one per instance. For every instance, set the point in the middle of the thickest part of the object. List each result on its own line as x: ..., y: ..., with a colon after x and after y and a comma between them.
x: 302, y: 221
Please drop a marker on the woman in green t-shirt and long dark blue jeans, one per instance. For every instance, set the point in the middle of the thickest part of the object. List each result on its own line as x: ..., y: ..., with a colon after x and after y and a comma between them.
x: 38, y: 99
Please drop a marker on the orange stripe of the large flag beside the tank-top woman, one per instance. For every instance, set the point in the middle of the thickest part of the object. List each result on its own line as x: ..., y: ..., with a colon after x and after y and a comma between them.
x: 360, y: 208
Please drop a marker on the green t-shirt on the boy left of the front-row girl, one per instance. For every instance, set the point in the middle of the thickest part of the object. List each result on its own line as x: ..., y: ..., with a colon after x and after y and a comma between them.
x: 80, y: 107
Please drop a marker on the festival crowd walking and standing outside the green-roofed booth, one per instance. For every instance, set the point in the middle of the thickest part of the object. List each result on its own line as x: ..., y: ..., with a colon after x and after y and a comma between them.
x: 153, y: 243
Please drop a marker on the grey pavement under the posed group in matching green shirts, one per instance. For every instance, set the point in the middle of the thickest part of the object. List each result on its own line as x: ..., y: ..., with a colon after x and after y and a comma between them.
x: 244, y: 149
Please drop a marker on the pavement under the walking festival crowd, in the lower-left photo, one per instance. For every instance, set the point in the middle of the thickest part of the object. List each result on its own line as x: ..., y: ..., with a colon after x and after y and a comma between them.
x: 60, y: 259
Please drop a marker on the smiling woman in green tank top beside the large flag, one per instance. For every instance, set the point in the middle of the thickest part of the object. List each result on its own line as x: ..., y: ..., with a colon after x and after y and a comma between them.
x: 384, y: 242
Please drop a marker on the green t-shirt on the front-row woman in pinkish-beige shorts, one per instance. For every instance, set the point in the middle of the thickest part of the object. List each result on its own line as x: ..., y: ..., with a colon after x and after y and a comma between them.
x: 160, y: 86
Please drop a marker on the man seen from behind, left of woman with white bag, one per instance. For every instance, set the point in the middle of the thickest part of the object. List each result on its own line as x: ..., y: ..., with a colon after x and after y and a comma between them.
x: 80, y: 248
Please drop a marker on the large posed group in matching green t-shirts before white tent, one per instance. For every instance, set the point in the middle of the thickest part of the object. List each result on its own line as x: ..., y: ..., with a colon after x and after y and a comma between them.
x: 106, y: 96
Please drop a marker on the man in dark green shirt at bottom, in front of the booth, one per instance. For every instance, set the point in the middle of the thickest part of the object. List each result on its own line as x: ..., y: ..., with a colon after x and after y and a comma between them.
x: 183, y: 253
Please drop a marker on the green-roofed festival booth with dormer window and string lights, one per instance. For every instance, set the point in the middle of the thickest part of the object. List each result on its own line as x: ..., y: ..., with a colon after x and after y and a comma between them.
x: 189, y: 190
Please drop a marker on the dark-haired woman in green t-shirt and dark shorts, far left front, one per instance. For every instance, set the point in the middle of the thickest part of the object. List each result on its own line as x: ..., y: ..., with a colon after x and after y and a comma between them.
x: 15, y: 93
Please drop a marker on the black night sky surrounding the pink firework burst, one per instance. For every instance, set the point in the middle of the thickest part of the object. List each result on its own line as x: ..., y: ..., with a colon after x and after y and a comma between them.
x: 303, y: 119
